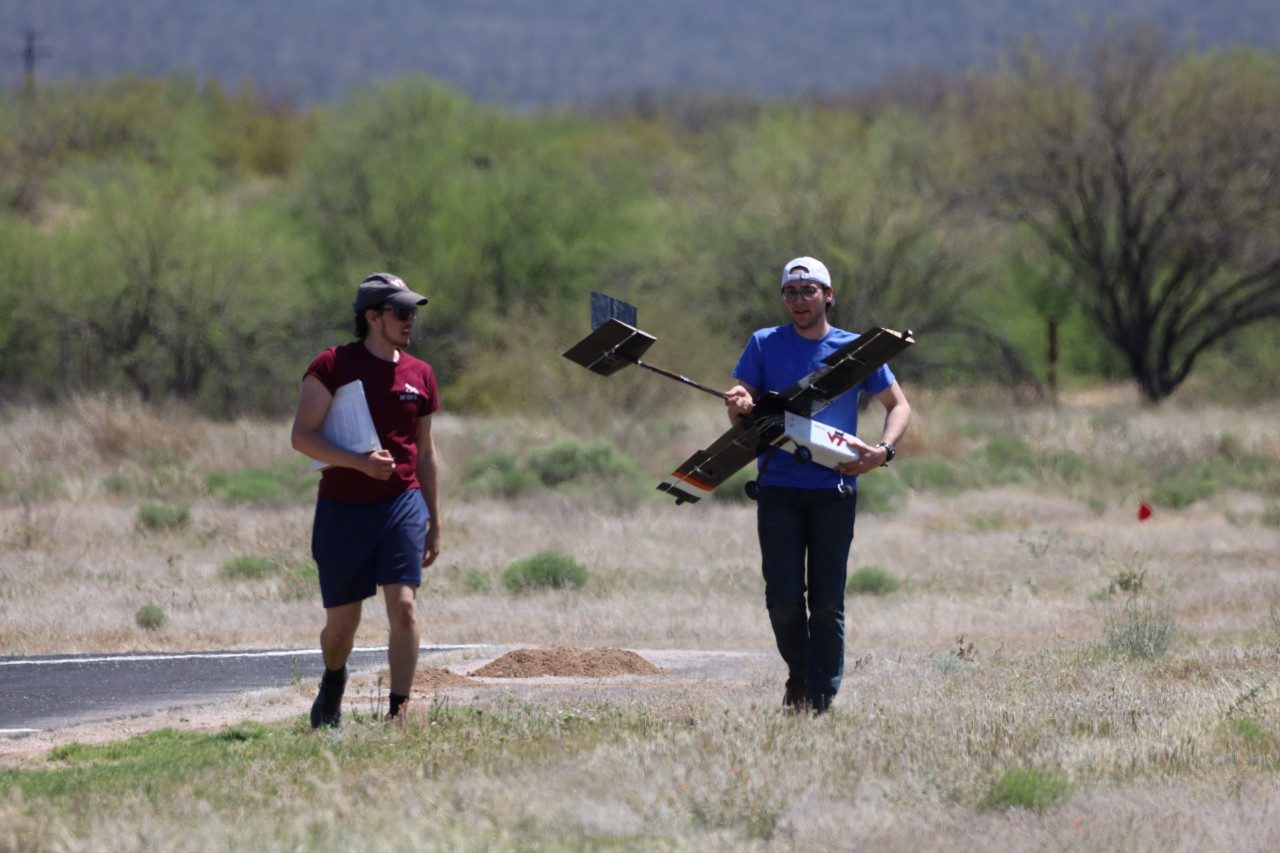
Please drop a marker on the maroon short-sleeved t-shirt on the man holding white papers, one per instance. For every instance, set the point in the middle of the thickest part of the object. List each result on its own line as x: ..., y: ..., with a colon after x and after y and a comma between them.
x: 399, y: 394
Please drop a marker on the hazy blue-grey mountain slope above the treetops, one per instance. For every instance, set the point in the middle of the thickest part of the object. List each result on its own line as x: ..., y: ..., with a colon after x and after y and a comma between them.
x: 527, y: 53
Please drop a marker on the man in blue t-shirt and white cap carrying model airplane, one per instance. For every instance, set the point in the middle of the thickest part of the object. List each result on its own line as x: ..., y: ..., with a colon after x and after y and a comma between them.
x: 806, y: 523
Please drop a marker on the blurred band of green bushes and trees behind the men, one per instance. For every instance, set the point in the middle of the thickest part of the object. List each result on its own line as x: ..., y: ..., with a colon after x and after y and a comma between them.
x: 168, y: 239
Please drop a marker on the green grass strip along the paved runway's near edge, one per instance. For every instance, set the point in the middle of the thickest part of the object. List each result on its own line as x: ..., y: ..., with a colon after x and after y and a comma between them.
x: 168, y: 764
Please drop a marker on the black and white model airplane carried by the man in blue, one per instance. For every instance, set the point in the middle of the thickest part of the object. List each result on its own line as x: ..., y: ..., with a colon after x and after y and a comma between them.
x: 778, y: 419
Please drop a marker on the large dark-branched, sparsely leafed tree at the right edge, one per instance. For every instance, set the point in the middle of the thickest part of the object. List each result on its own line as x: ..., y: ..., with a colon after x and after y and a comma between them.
x: 1155, y: 179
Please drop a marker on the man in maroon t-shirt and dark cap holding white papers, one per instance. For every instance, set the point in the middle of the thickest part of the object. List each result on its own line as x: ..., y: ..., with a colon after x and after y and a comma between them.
x: 378, y: 521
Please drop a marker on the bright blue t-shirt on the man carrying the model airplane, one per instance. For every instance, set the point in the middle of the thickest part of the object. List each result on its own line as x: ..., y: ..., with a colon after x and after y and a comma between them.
x: 776, y: 359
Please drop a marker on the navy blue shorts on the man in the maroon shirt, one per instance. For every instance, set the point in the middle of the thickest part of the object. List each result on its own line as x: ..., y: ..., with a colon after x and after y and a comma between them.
x: 359, y: 548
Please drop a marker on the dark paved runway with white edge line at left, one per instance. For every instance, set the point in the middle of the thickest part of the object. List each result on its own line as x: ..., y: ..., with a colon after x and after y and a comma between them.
x: 43, y: 694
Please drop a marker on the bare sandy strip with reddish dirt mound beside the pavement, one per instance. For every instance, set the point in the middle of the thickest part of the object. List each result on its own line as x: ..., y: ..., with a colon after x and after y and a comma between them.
x: 451, y: 677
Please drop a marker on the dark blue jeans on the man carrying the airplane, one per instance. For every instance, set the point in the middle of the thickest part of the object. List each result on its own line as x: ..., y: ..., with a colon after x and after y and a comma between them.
x: 806, y: 536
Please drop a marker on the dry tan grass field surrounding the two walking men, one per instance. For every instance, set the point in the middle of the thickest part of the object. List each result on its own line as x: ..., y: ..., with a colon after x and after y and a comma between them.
x: 990, y: 658
